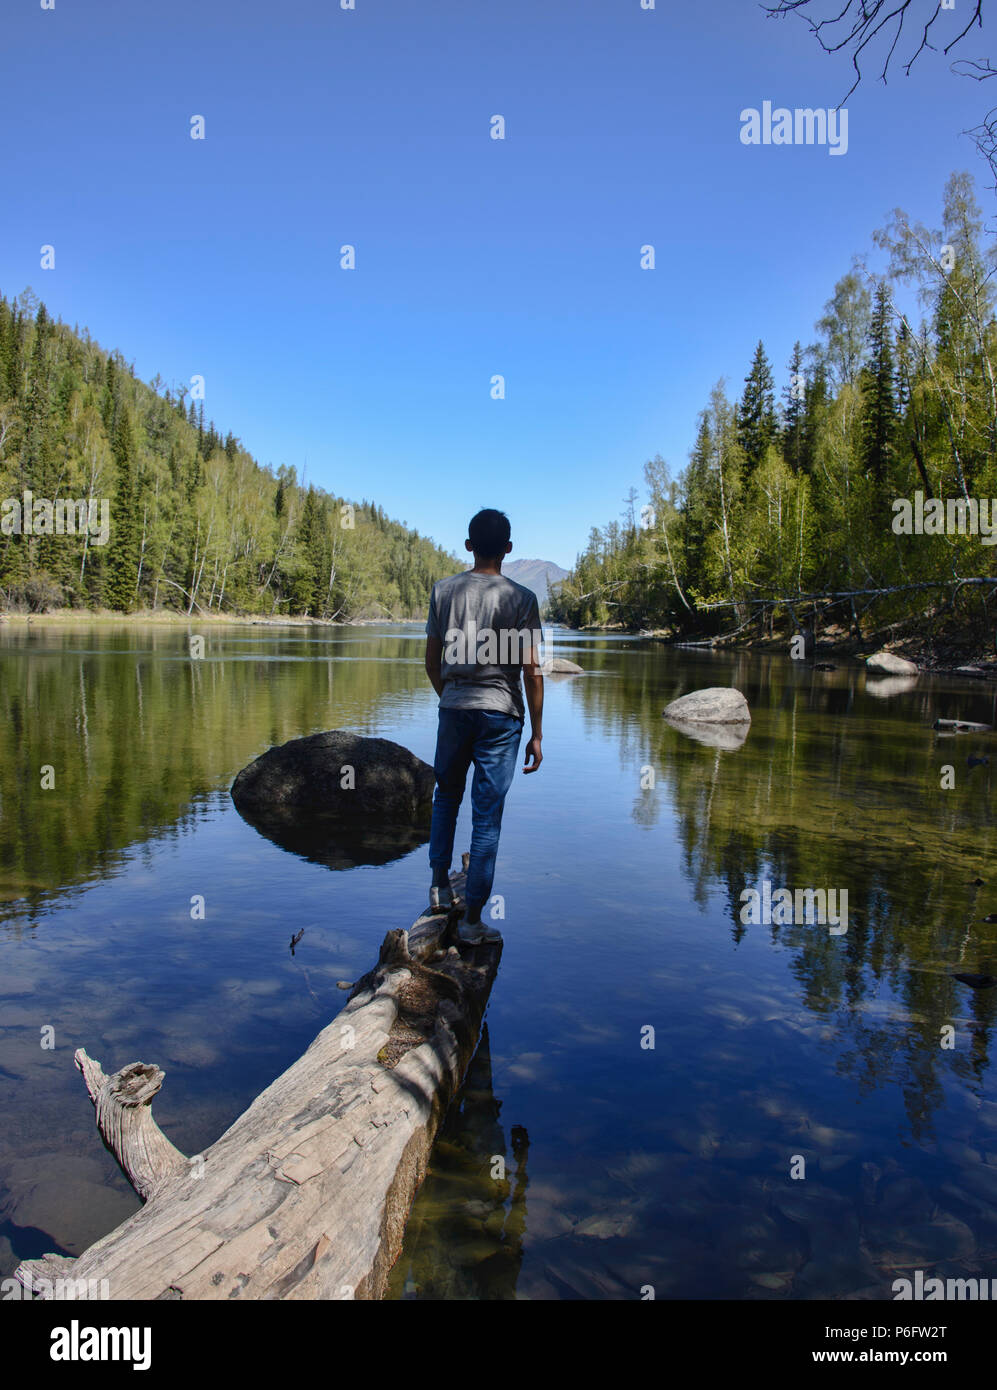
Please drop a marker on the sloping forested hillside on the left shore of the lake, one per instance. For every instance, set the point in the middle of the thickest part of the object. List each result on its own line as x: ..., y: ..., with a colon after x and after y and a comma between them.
x: 195, y: 523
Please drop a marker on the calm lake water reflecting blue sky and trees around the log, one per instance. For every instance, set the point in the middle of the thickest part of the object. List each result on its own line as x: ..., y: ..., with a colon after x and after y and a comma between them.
x: 626, y: 1166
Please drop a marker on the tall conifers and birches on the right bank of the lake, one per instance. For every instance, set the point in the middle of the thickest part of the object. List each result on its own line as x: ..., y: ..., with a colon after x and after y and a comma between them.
x: 793, y: 497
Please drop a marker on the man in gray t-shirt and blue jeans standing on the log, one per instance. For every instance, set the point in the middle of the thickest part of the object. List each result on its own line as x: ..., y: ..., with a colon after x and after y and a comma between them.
x: 483, y: 630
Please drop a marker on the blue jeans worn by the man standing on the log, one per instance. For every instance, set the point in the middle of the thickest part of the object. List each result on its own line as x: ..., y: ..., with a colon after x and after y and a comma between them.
x: 489, y: 740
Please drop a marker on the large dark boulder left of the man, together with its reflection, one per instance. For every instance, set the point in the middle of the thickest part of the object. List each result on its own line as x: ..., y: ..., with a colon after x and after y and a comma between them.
x: 295, y: 796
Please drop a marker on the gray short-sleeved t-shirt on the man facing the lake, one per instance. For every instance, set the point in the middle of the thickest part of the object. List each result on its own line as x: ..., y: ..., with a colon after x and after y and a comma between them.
x: 487, y: 625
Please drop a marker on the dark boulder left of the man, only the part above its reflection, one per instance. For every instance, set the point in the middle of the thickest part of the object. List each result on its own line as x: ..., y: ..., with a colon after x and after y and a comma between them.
x: 389, y: 787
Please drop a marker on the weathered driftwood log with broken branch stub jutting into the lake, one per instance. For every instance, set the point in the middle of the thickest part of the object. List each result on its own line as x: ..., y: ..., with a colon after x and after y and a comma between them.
x: 308, y: 1193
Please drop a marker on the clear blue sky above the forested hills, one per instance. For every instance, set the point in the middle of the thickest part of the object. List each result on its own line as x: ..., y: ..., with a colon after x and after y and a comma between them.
x: 475, y: 256
